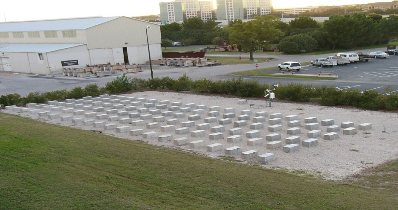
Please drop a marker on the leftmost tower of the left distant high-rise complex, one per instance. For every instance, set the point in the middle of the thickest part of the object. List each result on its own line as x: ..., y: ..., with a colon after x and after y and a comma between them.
x: 170, y: 12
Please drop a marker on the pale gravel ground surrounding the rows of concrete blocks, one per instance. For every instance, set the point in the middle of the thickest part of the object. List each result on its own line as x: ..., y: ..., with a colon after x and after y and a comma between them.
x: 330, y: 159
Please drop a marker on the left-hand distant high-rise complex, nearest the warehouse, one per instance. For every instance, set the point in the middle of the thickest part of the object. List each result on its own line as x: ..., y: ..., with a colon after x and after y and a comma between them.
x: 180, y: 10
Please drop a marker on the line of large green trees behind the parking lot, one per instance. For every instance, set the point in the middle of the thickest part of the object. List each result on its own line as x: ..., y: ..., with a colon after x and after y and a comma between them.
x: 301, y: 35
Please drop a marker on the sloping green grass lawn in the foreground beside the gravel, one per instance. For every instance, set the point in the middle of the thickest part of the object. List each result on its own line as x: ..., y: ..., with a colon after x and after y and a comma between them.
x: 52, y: 167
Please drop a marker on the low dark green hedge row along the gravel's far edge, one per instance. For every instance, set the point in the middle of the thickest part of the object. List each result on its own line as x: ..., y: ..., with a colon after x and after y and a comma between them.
x: 326, y: 96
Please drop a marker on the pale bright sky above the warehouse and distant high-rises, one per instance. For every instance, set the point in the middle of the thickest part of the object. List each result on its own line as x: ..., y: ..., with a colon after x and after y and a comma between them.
x: 20, y: 10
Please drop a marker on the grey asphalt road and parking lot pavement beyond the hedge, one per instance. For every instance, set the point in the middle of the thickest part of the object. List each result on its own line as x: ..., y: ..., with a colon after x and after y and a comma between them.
x: 378, y: 74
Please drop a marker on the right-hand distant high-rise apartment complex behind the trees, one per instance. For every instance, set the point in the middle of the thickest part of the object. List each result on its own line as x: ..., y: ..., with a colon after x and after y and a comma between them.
x: 242, y: 9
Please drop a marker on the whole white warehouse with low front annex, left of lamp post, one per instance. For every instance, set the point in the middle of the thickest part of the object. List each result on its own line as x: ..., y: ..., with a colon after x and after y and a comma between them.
x: 44, y: 47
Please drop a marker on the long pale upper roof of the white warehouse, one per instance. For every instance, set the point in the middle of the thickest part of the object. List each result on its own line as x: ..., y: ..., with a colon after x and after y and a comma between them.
x: 51, y: 25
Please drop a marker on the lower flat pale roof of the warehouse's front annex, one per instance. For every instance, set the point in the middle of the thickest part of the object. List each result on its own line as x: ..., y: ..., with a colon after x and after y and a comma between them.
x: 35, y: 48
